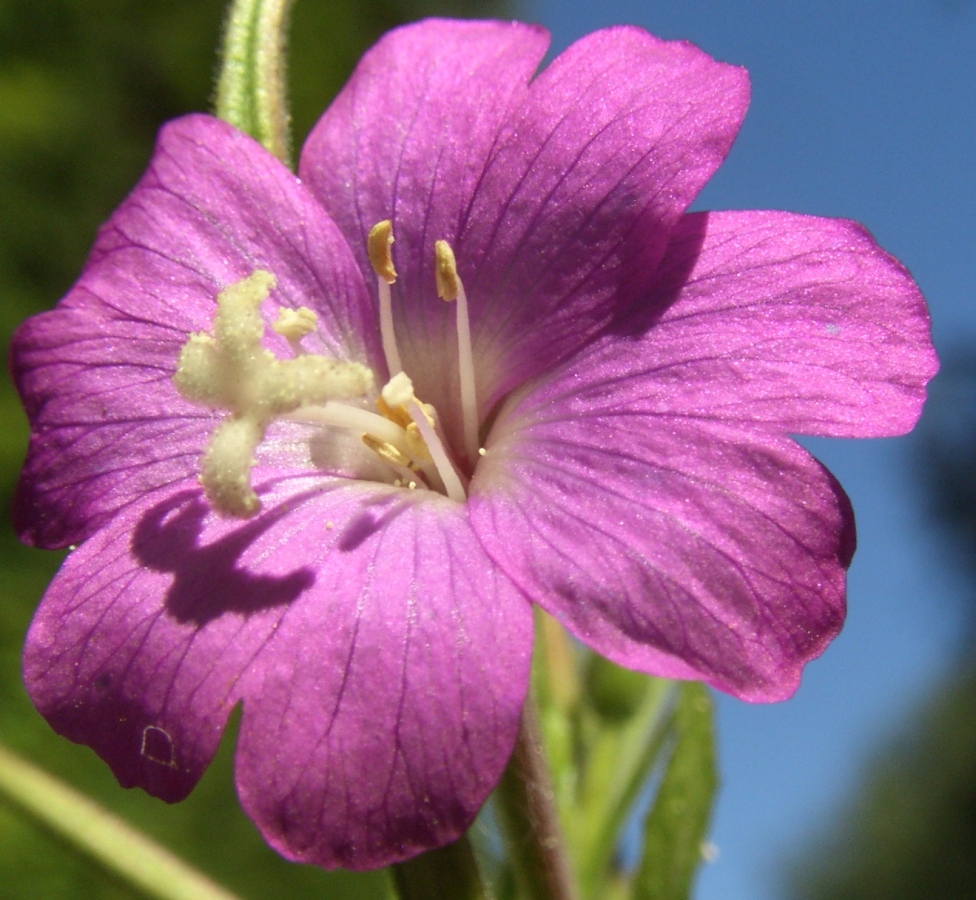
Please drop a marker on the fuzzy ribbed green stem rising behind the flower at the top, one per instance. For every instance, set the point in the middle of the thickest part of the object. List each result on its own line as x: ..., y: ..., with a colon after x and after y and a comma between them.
x: 251, y: 82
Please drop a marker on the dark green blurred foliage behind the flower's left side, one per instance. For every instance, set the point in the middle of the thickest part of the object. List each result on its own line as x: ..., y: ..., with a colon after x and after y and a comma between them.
x: 84, y: 86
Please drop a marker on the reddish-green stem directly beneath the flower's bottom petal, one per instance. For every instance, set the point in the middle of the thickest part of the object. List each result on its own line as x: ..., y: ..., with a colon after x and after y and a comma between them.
x: 527, y: 809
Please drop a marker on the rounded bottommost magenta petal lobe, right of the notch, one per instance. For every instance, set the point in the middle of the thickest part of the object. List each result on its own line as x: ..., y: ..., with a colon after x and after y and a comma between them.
x: 388, y: 708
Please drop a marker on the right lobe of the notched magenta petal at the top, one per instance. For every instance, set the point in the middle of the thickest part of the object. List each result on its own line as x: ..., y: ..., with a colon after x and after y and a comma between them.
x: 572, y: 216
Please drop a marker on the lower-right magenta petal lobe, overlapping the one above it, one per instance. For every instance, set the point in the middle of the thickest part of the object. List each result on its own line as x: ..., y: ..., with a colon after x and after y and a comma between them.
x: 683, y: 549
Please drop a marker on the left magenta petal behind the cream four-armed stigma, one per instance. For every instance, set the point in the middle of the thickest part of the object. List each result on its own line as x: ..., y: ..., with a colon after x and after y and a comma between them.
x: 107, y: 425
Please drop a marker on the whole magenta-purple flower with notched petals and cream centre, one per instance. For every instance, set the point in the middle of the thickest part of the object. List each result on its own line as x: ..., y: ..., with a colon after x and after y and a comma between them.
x: 598, y: 424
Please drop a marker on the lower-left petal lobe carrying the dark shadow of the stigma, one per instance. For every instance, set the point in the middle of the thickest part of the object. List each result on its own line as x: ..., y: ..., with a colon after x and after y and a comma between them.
x: 137, y: 647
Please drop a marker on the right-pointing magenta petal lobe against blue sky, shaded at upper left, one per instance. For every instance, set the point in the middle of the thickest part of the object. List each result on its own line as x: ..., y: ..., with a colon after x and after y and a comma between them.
x: 794, y: 323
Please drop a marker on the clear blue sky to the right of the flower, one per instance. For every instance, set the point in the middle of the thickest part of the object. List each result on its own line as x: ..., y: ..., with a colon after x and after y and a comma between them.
x: 863, y: 110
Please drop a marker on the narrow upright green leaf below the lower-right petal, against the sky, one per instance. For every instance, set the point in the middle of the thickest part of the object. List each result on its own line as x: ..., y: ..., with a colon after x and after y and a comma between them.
x: 675, y: 832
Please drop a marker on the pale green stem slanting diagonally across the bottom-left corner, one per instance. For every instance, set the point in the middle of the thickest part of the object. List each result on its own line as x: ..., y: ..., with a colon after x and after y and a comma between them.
x: 124, y: 852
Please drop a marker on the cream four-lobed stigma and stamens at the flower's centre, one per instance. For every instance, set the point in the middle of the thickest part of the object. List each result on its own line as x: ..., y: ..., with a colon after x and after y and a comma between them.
x: 231, y: 370
